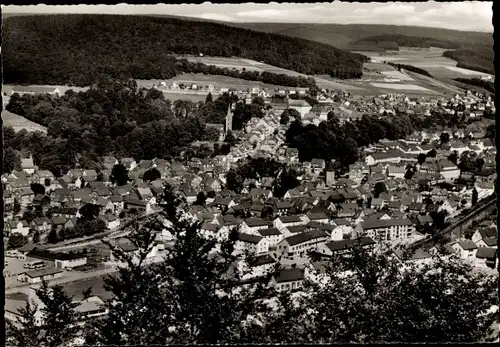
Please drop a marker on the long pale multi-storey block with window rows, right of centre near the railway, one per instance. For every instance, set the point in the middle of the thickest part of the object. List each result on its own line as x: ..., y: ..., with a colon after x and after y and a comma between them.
x: 385, y: 230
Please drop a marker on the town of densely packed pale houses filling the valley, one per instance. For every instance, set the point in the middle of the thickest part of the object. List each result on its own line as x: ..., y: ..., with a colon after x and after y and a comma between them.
x: 394, y: 194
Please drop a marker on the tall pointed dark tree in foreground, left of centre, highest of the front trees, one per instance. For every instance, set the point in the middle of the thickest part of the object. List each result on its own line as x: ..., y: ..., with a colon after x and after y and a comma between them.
x: 190, y: 297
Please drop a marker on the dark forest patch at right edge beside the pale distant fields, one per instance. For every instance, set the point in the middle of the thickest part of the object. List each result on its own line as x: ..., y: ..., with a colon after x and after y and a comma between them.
x: 478, y: 58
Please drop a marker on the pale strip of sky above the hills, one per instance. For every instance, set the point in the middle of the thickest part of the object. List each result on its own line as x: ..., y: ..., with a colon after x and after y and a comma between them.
x: 469, y: 16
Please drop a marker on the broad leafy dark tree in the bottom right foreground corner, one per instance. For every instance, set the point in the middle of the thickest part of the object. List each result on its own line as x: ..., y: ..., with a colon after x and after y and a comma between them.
x: 424, y: 301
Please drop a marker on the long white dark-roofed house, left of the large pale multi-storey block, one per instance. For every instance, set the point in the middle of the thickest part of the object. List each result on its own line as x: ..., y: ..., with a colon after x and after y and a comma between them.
x: 299, y: 246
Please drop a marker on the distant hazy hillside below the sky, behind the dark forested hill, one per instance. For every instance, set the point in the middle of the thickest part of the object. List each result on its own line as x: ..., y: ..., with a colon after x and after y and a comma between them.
x: 471, y: 50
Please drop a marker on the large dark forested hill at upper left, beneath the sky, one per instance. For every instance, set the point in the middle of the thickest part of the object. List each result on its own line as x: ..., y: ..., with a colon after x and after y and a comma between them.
x: 71, y: 49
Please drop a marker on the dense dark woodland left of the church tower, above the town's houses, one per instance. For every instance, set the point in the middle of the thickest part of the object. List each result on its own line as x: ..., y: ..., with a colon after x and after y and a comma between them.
x: 112, y: 118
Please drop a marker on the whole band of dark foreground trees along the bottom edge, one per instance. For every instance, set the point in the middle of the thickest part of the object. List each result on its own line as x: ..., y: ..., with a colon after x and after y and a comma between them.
x: 195, y: 296
